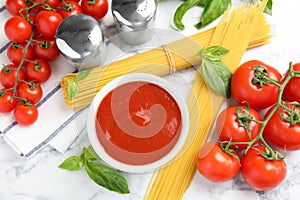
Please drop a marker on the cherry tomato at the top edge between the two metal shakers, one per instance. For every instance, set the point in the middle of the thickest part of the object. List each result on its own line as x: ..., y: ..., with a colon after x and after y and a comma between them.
x: 95, y: 8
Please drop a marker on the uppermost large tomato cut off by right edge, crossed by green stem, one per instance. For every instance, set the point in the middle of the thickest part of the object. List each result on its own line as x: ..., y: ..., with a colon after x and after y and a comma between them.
x: 291, y: 91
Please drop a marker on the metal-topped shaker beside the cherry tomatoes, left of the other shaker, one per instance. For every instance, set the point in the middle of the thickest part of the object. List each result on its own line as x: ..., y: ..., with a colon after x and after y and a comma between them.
x: 81, y: 41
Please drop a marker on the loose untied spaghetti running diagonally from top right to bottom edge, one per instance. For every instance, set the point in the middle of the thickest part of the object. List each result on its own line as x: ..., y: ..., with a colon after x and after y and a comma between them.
x: 233, y: 33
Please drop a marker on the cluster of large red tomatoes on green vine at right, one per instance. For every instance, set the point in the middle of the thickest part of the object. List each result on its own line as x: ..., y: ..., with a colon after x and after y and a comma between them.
x: 250, y: 142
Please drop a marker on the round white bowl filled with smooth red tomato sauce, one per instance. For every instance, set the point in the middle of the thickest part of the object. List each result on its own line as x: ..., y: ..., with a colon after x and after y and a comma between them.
x: 137, y: 121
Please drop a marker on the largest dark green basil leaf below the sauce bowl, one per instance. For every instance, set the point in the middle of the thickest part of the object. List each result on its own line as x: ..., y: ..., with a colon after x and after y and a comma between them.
x: 106, y: 177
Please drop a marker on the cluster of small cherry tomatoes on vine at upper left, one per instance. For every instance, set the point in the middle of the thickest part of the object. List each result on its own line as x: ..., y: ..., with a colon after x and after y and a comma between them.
x: 32, y: 30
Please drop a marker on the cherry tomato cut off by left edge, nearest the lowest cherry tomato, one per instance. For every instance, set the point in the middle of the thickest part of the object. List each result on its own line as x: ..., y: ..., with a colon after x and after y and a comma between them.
x: 7, y: 101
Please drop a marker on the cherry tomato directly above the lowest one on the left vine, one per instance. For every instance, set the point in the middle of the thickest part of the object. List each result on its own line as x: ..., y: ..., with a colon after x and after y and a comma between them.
x: 31, y: 92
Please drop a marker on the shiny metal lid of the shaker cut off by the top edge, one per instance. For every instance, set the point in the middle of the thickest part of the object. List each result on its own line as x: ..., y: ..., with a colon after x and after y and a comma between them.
x: 134, y: 13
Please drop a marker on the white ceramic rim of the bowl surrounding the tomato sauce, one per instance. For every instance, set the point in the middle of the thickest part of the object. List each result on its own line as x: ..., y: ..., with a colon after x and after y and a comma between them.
x: 91, y: 127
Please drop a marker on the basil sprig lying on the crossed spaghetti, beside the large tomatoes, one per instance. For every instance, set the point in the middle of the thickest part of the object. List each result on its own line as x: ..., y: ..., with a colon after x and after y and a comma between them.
x: 216, y: 74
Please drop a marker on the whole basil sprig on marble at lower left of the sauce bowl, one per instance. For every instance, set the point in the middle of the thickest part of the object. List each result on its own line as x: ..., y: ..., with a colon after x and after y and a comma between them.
x: 100, y: 173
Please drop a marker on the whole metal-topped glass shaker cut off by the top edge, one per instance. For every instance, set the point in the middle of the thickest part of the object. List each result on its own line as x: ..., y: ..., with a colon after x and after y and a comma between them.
x: 133, y: 19
